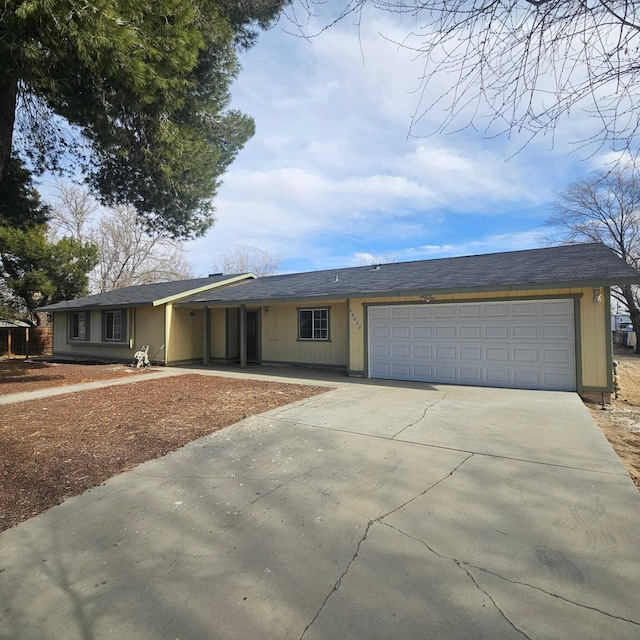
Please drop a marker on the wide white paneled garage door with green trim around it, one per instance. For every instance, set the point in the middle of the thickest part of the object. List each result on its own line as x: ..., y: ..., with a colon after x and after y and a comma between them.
x: 527, y: 344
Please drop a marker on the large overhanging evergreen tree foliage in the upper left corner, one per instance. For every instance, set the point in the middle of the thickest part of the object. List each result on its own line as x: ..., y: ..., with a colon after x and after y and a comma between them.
x: 147, y: 86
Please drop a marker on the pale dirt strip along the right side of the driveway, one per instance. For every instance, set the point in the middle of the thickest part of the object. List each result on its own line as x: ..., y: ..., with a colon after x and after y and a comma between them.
x: 620, y: 422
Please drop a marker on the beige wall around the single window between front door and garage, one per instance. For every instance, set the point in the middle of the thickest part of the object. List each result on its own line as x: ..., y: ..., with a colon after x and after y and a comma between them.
x: 279, y: 336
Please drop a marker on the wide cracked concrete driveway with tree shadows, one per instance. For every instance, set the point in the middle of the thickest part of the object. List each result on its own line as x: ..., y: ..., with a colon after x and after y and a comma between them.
x: 373, y: 511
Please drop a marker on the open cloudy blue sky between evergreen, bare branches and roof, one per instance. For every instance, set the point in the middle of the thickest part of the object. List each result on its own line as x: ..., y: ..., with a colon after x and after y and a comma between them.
x: 331, y: 176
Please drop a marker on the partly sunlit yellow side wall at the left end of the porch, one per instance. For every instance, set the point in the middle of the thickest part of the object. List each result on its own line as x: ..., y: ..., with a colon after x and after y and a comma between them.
x: 185, y: 334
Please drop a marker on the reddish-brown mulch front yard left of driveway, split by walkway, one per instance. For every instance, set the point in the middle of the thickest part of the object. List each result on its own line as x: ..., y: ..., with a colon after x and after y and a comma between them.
x: 61, y: 446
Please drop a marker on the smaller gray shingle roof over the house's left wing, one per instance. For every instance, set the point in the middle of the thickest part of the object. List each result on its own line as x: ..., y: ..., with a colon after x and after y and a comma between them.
x: 137, y: 295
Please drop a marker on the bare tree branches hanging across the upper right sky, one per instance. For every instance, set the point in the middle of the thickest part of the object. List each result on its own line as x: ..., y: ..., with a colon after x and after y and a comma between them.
x: 519, y: 66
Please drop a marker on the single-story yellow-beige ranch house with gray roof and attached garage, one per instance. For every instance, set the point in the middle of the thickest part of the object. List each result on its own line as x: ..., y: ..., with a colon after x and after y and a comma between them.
x: 537, y: 319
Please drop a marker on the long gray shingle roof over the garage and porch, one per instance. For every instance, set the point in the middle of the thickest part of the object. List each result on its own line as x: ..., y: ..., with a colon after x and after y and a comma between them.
x: 571, y: 265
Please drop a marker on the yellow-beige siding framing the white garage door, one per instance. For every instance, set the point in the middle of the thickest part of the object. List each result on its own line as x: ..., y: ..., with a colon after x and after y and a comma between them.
x: 593, y: 338
